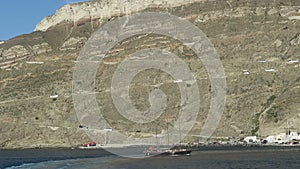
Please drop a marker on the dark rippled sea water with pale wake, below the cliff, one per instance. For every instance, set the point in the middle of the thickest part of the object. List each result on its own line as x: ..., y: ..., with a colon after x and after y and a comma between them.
x: 218, y: 158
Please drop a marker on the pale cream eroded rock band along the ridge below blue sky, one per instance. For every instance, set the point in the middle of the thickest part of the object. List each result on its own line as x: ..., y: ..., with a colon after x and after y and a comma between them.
x: 88, y: 11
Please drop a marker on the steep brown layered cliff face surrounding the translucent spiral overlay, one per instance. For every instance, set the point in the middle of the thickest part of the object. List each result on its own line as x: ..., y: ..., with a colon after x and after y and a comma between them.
x: 250, y: 36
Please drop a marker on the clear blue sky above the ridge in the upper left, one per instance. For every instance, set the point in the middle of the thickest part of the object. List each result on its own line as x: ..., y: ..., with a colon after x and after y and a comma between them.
x: 19, y: 17
